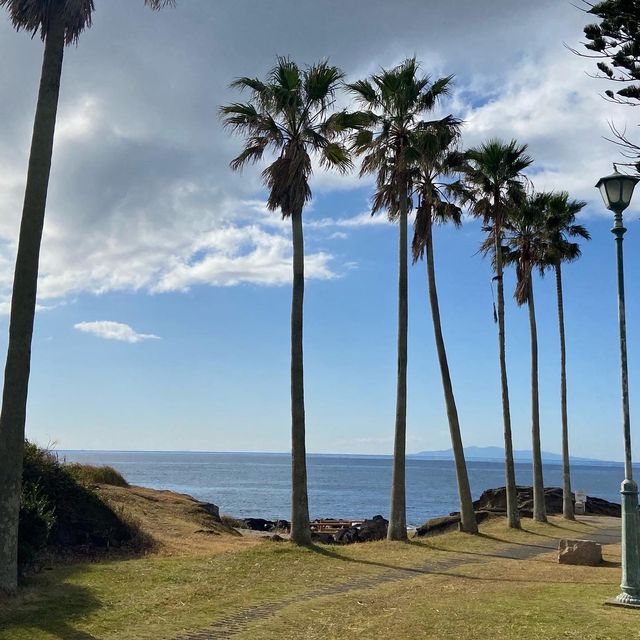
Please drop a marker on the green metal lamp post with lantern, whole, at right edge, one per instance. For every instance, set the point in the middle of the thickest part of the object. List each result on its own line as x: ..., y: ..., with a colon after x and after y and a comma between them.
x: 616, y: 190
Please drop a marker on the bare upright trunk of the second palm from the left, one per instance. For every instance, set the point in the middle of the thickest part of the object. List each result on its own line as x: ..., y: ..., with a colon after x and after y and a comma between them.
x: 300, y: 531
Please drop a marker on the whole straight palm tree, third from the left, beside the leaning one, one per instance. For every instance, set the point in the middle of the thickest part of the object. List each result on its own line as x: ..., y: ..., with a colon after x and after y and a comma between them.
x: 394, y: 101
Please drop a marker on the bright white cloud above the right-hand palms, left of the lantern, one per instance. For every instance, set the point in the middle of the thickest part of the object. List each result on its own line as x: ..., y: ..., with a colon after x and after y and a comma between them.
x: 551, y: 104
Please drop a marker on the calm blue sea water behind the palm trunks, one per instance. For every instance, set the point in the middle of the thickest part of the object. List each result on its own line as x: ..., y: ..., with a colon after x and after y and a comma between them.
x: 257, y: 485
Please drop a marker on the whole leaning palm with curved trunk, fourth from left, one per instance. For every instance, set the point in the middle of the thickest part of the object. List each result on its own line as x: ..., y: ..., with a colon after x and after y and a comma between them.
x: 435, y: 159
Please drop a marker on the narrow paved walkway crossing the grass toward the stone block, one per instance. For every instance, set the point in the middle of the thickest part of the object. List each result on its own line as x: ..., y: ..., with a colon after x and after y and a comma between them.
x: 234, y: 624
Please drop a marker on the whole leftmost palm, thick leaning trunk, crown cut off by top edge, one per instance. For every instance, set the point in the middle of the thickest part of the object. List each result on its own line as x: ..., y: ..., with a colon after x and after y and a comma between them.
x: 59, y: 23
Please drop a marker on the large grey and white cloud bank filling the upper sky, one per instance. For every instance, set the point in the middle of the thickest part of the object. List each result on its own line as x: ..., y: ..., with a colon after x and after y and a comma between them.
x: 141, y: 195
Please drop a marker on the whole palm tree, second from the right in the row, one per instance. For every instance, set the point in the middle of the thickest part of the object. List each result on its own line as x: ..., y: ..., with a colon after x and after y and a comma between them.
x: 526, y: 244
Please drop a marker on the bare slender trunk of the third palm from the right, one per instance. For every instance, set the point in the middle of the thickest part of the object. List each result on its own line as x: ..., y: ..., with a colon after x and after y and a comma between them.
x: 513, y: 517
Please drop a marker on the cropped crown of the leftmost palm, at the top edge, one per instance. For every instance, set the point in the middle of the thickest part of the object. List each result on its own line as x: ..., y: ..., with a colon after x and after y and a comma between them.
x: 35, y: 15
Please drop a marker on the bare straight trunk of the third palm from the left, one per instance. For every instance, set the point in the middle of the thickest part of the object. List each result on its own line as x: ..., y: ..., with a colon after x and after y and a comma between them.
x: 398, y: 517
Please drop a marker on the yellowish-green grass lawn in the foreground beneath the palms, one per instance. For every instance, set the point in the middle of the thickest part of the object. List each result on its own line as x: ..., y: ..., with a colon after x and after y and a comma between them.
x: 457, y: 587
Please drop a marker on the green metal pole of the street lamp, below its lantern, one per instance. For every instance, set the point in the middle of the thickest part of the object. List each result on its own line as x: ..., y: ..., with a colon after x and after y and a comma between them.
x: 630, y: 585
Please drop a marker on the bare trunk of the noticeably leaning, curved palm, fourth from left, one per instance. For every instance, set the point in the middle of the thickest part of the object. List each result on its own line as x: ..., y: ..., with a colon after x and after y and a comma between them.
x: 467, y: 512
